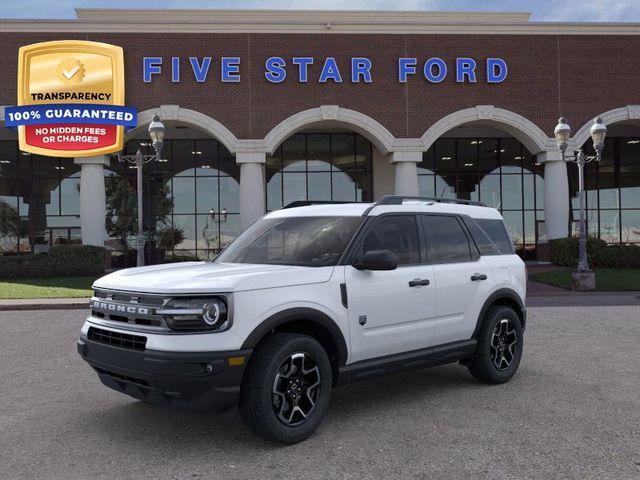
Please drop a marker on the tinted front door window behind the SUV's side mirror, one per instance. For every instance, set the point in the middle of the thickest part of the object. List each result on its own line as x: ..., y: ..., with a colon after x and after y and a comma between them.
x: 398, y: 234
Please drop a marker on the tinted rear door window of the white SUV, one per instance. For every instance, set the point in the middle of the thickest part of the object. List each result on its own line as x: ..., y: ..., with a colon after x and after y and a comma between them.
x: 447, y: 240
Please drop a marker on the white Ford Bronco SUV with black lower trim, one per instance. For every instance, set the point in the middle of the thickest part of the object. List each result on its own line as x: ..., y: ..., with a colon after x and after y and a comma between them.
x: 310, y: 297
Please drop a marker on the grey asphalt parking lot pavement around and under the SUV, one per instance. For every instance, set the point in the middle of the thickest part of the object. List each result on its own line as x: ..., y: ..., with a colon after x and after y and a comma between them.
x: 572, y: 411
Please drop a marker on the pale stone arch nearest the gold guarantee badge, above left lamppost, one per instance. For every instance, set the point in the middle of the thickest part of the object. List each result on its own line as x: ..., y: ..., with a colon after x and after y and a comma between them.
x: 197, y: 119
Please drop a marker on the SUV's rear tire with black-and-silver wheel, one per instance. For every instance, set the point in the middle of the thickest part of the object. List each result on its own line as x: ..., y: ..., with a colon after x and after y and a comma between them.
x: 500, y: 345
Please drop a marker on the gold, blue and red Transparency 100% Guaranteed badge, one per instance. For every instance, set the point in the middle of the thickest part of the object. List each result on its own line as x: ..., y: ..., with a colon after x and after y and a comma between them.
x: 70, y: 99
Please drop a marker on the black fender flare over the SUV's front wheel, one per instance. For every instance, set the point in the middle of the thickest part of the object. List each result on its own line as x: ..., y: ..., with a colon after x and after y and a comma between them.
x: 300, y: 313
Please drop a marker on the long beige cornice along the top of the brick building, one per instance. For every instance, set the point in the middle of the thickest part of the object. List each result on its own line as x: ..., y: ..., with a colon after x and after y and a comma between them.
x: 310, y: 21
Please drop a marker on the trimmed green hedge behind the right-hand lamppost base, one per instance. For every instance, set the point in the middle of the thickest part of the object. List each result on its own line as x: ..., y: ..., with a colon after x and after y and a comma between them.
x: 564, y: 252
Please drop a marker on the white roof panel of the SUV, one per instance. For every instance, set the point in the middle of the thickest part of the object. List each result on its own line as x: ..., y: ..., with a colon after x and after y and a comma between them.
x: 358, y: 209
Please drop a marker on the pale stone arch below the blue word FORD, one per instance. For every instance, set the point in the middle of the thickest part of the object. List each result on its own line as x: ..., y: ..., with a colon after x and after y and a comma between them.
x: 527, y: 132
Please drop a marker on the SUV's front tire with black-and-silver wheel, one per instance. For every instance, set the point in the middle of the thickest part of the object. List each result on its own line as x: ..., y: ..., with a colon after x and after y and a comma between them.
x: 286, y: 388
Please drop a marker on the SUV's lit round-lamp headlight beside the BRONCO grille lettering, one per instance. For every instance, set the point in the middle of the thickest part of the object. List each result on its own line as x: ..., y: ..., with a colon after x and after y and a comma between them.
x: 196, y: 314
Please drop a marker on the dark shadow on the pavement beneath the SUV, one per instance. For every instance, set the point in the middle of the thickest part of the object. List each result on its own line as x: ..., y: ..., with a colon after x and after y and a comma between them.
x: 137, y: 425
